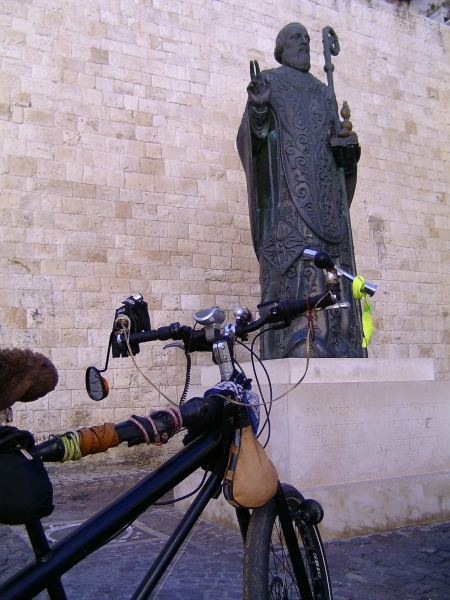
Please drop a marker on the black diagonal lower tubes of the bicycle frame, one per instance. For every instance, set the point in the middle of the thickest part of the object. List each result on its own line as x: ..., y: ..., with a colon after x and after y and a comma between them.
x: 110, y: 521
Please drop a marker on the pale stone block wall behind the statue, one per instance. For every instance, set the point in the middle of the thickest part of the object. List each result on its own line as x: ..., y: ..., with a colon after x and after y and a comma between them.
x: 119, y: 174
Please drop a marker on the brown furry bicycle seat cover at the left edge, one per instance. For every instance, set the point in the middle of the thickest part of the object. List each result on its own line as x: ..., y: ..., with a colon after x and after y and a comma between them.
x: 25, y: 376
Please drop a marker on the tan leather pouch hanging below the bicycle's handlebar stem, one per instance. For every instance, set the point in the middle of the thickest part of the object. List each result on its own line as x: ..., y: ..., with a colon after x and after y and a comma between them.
x: 251, y: 478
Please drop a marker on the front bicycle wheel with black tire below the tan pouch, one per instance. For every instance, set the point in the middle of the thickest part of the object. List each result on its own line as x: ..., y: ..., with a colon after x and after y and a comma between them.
x: 268, y: 573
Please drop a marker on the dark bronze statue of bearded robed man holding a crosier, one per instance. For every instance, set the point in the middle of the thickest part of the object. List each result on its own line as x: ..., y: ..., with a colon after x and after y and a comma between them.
x: 300, y: 164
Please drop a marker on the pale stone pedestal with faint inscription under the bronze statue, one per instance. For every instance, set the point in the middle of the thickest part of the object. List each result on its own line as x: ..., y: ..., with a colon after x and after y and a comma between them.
x: 367, y: 438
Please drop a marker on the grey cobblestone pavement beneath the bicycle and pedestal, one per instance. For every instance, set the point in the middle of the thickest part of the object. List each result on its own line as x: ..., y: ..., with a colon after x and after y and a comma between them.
x: 408, y: 564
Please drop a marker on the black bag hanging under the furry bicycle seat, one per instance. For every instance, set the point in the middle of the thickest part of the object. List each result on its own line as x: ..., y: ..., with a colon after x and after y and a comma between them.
x: 26, y: 492
